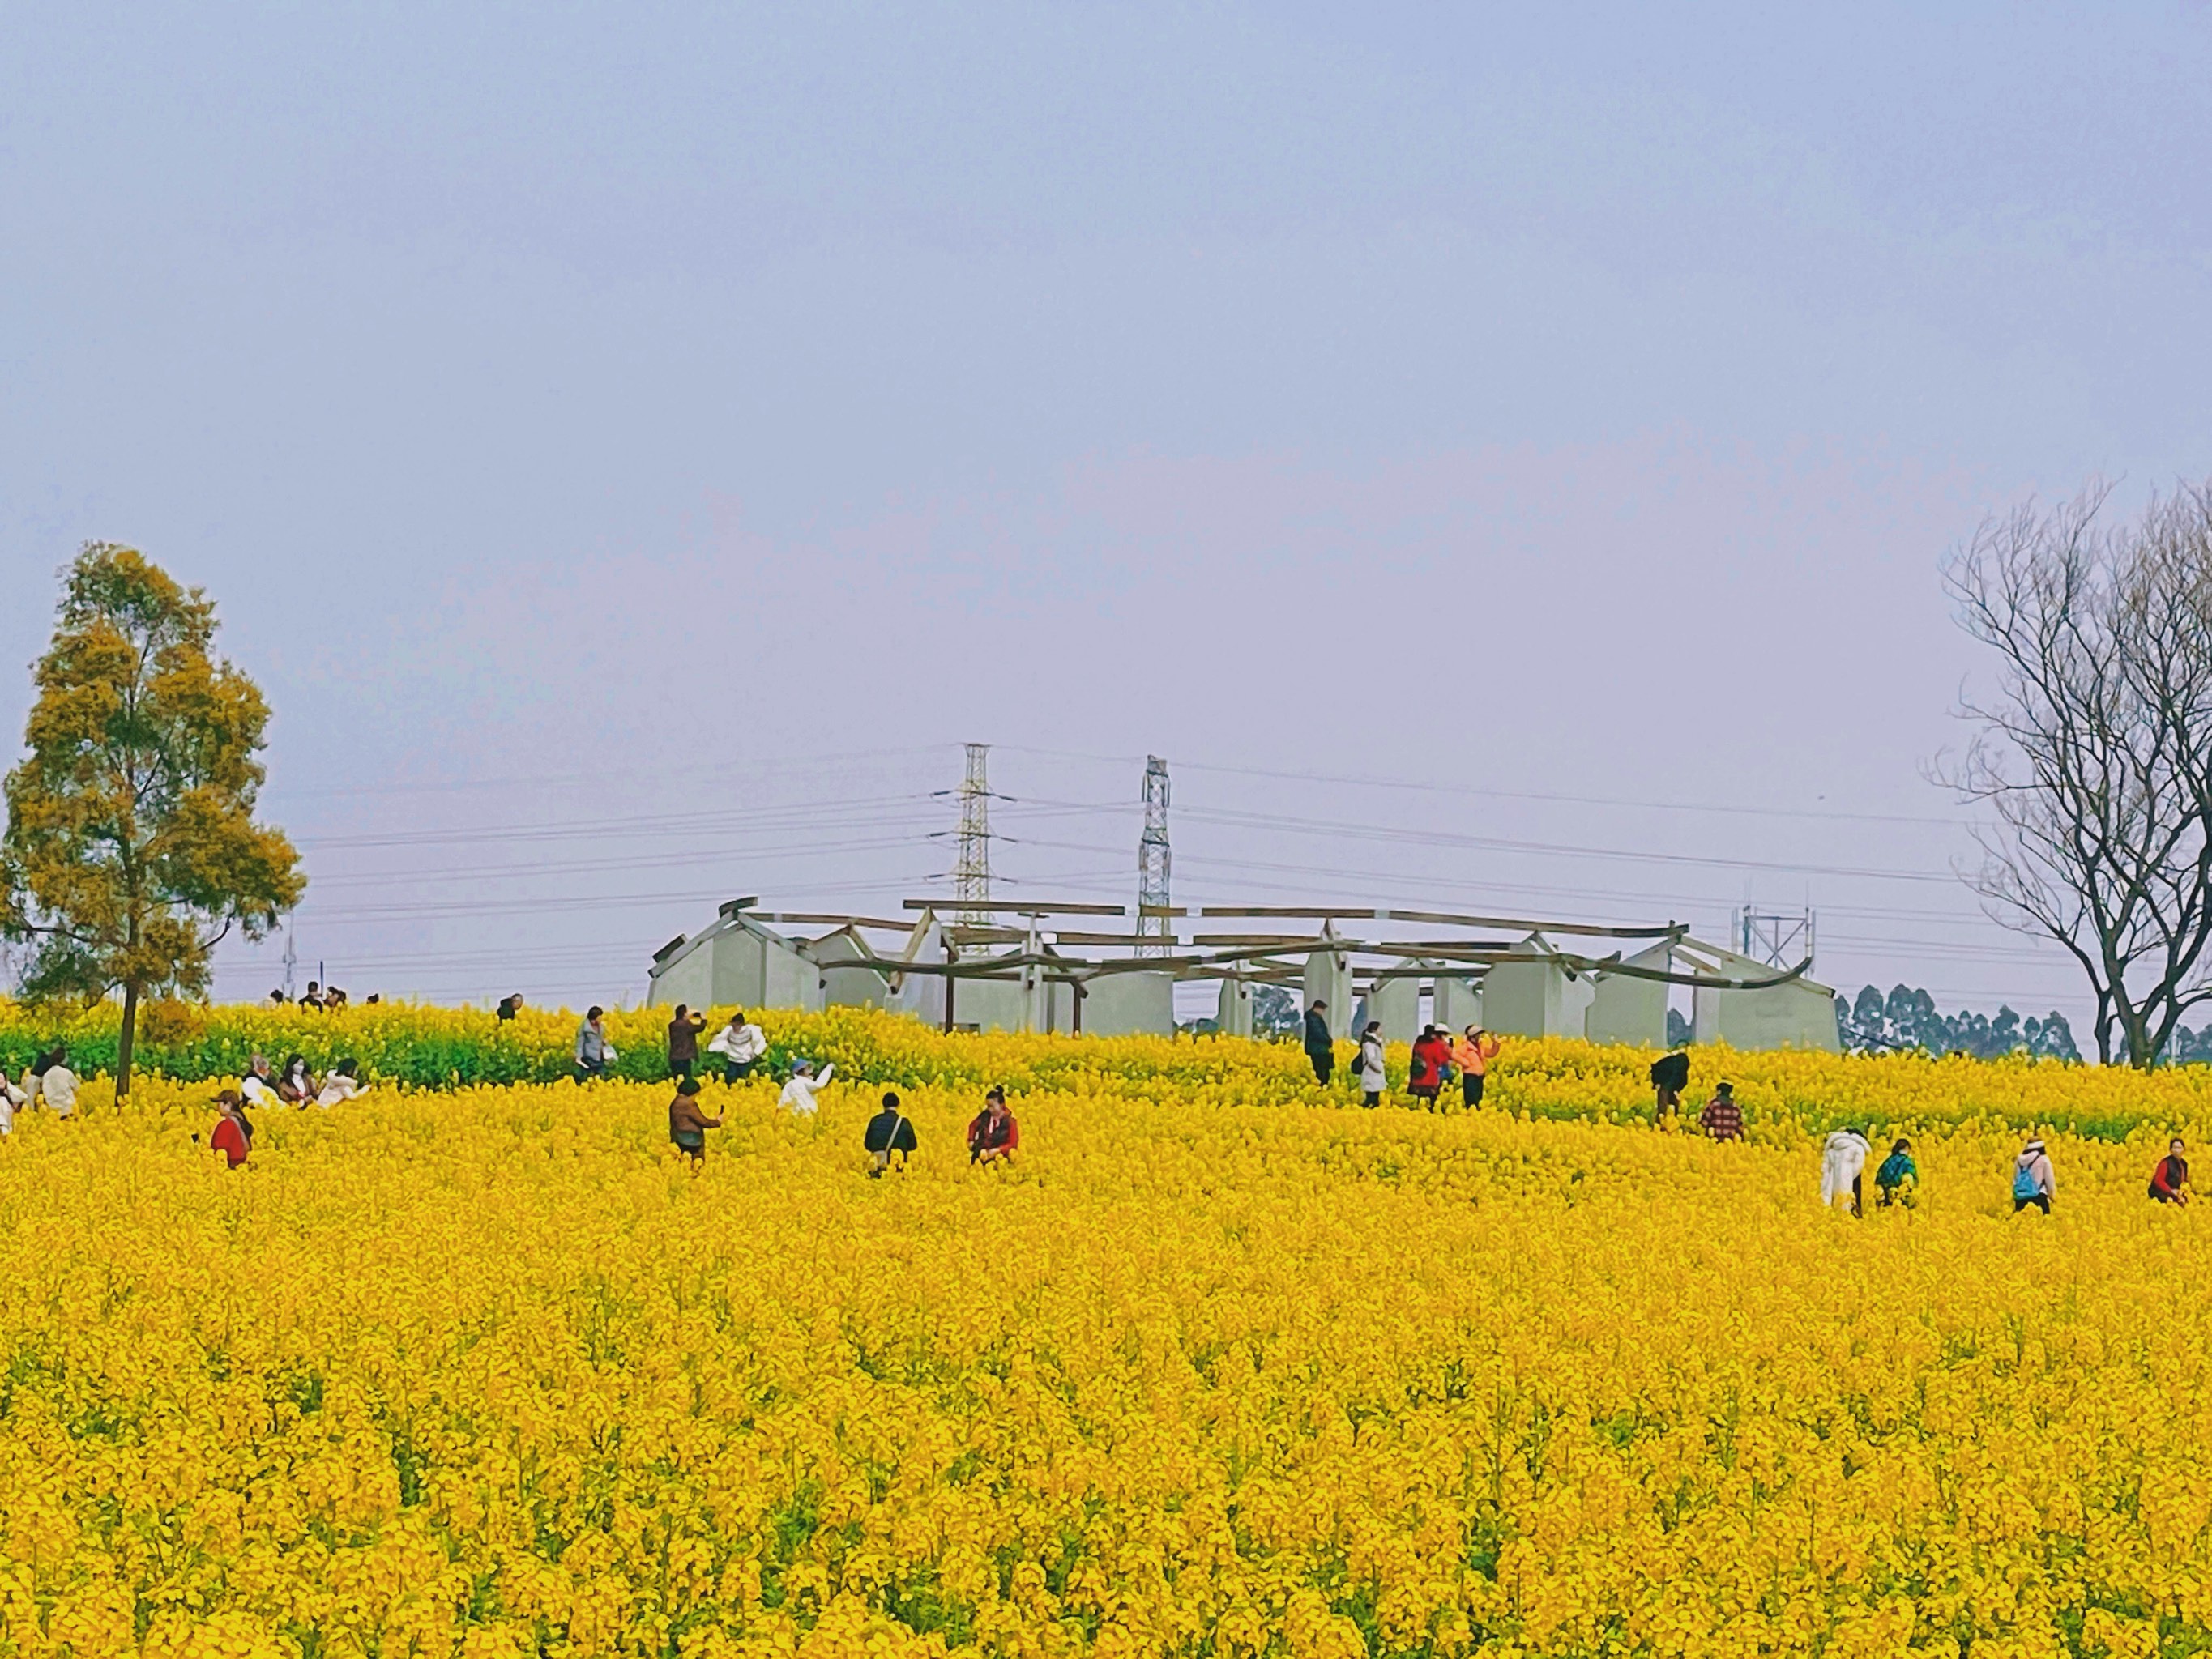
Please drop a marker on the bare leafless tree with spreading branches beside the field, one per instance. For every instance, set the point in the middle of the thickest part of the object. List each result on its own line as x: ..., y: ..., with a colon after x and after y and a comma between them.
x: 2096, y: 749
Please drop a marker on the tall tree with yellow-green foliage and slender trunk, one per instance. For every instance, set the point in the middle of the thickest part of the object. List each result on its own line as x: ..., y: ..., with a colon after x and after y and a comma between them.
x: 132, y: 844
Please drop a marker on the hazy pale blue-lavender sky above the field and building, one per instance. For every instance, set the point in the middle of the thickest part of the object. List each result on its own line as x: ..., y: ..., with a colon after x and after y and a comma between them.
x: 636, y: 446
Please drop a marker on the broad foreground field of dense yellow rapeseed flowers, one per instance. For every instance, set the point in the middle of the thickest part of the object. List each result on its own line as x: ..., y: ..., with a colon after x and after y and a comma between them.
x: 490, y: 1373
